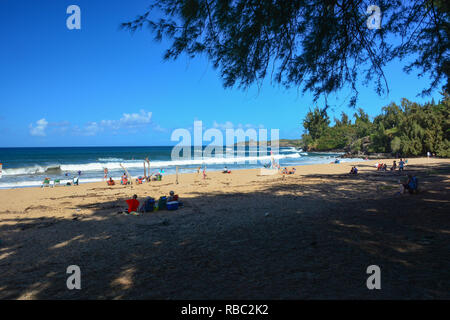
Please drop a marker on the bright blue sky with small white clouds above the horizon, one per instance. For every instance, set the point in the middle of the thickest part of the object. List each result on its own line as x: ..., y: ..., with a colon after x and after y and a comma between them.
x: 102, y: 86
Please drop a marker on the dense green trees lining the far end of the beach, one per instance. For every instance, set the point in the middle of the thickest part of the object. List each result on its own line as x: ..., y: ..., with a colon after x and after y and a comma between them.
x: 410, y: 129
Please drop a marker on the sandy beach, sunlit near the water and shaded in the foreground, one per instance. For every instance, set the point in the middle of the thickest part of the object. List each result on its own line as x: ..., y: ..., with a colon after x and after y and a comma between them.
x: 310, y: 235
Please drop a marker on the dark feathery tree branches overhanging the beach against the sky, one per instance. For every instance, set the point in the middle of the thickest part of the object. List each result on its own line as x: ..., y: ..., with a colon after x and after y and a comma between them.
x: 319, y: 45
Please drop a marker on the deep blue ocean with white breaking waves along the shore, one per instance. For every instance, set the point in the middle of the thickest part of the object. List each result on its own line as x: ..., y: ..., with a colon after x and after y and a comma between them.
x: 27, y: 167
